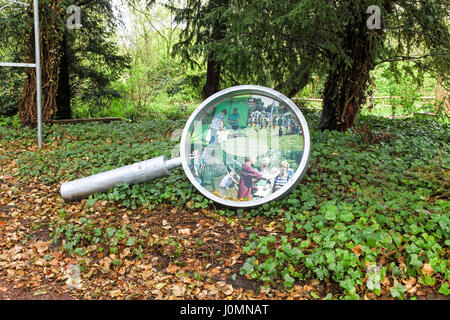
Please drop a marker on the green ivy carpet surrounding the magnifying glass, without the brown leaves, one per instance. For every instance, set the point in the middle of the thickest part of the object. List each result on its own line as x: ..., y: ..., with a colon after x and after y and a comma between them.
x: 372, y: 205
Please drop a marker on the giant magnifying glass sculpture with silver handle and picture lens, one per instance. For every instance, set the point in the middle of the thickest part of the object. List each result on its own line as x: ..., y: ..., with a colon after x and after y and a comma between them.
x: 242, y: 147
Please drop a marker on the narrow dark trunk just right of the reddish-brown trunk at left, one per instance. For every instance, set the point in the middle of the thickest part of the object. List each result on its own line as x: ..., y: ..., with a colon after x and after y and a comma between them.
x: 64, y: 94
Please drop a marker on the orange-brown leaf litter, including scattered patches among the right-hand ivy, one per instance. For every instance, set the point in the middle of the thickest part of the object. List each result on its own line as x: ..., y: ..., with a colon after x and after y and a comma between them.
x: 148, y: 252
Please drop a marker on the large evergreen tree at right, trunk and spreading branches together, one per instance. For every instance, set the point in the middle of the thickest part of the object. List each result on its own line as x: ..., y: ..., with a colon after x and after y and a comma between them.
x: 282, y: 43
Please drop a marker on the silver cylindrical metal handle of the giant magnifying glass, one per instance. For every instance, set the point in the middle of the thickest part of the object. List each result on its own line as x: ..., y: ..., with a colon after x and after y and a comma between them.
x: 132, y: 174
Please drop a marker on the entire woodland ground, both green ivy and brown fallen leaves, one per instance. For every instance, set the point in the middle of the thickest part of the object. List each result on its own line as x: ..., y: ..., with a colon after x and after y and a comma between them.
x: 370, y: 219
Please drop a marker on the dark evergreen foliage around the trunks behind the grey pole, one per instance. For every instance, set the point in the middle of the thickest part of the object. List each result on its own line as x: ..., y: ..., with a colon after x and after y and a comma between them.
x: 89, y: 56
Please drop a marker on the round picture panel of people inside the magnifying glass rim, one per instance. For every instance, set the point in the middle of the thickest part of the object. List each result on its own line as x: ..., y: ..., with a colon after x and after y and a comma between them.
x: 245, y: 147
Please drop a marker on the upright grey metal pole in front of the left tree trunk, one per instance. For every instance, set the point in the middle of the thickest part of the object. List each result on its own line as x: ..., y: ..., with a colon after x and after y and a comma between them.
x: 38, y: 71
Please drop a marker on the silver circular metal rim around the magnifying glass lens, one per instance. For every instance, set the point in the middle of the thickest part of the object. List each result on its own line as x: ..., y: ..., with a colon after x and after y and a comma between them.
x: 236, y: 91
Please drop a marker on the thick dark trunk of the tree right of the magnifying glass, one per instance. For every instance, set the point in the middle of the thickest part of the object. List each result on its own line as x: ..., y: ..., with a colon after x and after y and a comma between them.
x: 348, y: 77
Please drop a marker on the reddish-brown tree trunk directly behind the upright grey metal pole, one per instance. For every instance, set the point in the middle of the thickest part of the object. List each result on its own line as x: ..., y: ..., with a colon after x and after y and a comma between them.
x: 50, y: 56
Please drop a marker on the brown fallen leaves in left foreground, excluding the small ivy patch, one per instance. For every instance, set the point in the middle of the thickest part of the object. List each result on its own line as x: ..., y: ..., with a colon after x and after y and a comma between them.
x: 199, y: 264
